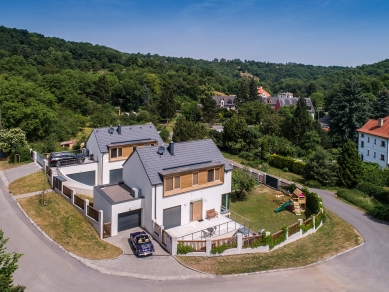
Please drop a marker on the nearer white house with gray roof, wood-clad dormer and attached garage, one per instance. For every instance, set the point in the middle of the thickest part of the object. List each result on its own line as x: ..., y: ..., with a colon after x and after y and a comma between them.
x: 171, y: 188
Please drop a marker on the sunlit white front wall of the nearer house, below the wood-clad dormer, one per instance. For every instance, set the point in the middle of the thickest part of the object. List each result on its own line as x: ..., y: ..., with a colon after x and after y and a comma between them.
x: 211, y: 198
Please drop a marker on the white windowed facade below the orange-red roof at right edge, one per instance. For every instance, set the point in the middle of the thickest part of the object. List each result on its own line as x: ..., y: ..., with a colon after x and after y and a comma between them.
x: 371, y: 149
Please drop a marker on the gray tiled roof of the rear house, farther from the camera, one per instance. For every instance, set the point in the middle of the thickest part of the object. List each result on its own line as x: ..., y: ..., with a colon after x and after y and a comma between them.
x: 130, y: 134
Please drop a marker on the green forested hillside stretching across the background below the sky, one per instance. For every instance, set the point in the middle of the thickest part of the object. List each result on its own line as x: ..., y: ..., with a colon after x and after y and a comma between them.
x: 51, y: 88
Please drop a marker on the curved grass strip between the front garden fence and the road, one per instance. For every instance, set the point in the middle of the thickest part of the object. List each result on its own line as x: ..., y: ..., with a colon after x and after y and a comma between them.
x: 333, y: 237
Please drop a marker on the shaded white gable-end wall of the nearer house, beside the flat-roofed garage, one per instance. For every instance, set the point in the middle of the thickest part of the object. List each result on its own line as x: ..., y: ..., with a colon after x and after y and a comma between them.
x: 134, y: 176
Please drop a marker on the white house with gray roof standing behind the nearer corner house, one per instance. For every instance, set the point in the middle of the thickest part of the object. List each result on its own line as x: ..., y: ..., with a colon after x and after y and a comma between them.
x: 110, y: 147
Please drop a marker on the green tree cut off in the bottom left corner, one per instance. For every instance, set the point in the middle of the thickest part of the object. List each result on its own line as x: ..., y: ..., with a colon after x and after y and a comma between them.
x: 8, y: 265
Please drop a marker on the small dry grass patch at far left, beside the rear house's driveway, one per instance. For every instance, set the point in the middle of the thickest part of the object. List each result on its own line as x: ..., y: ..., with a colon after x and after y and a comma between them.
x: 31, y: 183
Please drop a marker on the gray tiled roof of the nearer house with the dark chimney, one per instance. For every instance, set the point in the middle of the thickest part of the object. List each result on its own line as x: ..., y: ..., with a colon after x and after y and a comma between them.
x: 200, y: 152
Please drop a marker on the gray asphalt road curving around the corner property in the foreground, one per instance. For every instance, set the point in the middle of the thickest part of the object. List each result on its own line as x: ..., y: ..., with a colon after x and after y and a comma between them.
x: 44, y: 267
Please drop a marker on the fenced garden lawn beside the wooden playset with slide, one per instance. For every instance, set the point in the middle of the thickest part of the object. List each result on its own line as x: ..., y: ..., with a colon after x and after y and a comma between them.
x: 259, y: 206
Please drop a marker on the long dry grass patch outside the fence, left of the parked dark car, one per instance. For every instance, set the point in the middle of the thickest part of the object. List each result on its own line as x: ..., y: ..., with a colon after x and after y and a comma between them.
x: 65, y: 225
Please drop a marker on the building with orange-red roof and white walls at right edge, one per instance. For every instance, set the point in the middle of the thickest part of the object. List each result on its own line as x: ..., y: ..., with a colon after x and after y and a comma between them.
x: 373, y: 140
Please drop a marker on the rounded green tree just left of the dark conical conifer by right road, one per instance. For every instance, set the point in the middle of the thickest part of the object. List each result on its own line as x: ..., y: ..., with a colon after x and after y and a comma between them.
x: 321, y: 168
